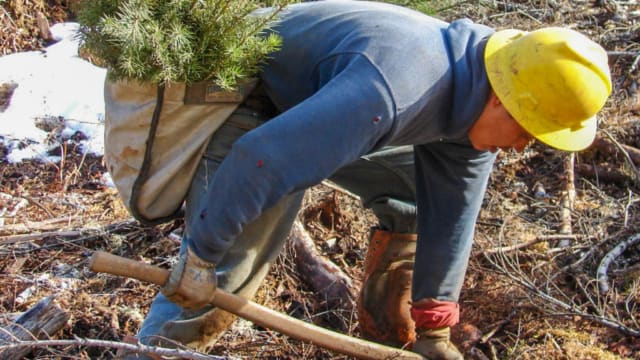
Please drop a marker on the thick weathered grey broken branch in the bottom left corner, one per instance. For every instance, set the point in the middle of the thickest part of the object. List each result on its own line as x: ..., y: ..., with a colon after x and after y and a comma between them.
x: 40, y: 321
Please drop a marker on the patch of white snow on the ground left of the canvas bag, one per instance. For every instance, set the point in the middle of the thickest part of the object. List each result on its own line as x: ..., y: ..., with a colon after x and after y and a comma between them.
x: 56, y: 90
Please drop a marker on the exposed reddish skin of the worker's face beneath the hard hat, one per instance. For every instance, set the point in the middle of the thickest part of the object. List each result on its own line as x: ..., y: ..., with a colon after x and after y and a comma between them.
x: 497, y: 129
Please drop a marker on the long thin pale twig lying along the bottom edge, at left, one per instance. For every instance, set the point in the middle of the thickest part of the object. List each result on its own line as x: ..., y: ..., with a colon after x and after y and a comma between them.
x: 138, y: 348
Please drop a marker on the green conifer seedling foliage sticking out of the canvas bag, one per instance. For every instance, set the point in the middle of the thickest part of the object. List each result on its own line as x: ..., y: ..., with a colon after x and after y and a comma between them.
x: 187, y: 41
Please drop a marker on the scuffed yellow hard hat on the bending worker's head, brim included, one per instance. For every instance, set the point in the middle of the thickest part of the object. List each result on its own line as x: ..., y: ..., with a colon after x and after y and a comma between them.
x: 553, y: 81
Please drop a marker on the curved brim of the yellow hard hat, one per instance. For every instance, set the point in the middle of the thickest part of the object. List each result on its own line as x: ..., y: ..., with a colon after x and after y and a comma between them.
x: 546, y: 130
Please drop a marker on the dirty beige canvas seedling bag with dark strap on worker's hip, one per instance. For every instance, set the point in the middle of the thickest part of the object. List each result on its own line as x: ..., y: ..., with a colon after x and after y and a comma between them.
x: 155, y: 136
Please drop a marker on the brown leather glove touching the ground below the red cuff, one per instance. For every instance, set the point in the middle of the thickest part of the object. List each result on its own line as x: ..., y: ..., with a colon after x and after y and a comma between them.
x: 435, y: 344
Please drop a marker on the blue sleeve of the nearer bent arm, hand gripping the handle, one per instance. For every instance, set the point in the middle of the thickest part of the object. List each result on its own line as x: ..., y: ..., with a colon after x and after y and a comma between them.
x: 348, y: 116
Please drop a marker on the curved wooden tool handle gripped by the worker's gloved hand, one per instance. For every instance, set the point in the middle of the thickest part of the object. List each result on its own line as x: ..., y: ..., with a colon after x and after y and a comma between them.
x: 295, y: 328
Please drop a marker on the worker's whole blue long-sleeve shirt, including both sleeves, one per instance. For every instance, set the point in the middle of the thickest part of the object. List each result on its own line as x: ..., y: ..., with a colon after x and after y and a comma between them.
x: 352, y: 77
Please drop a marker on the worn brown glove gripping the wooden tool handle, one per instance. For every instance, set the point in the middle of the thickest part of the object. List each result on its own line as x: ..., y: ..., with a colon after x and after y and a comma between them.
x: 192, y: 282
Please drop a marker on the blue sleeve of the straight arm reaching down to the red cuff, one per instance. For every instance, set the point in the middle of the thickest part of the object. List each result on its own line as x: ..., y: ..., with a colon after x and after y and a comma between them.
x: 451, y: 180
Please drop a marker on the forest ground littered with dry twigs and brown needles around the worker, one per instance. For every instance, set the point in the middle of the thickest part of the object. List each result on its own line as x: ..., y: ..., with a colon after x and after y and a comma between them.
x: 531, y: 290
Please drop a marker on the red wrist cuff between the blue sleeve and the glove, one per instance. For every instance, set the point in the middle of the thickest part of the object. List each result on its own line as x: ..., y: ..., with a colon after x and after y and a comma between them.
x: 432, y: 314
